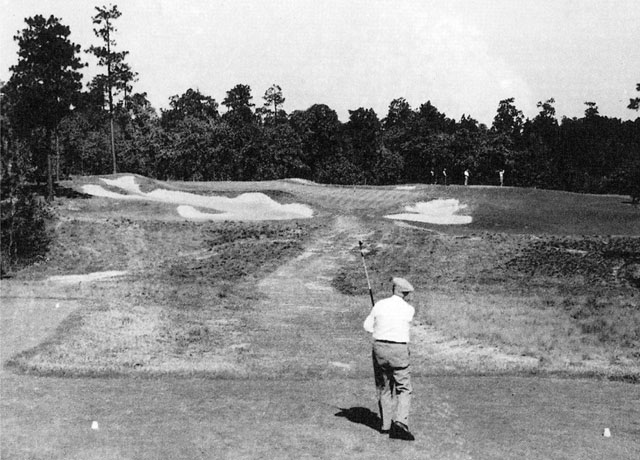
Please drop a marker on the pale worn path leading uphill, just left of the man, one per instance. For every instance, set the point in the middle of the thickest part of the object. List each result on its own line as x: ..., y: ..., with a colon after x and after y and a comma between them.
x: 304, y: 324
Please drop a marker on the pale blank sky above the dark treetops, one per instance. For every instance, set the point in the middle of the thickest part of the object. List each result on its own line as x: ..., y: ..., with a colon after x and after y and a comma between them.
x: 464, y: 56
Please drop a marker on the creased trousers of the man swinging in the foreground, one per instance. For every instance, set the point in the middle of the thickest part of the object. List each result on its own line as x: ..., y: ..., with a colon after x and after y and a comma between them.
x: 393, y: 382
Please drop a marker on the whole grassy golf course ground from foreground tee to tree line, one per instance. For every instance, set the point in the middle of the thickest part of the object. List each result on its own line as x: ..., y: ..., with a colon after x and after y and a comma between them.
x: 190, y: 337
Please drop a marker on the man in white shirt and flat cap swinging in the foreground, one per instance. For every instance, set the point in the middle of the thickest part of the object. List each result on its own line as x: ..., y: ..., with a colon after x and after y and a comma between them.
x: 389, y: 323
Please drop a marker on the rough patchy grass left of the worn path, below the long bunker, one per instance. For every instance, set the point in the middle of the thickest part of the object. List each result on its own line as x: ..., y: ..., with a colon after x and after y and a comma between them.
x: 181, y: 310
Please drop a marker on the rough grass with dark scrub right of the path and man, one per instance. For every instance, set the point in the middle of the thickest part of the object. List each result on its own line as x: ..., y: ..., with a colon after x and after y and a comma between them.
x: 531, y: 295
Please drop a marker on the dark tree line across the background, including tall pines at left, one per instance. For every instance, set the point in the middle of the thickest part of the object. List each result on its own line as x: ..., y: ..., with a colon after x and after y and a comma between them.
x: 61, y: 129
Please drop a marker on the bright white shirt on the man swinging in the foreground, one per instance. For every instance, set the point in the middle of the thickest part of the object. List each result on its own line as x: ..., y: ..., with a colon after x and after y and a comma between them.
x: 390, y: 319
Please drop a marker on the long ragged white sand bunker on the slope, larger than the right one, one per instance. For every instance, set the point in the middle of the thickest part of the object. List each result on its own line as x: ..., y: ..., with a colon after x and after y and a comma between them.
x: 248, y: 206
